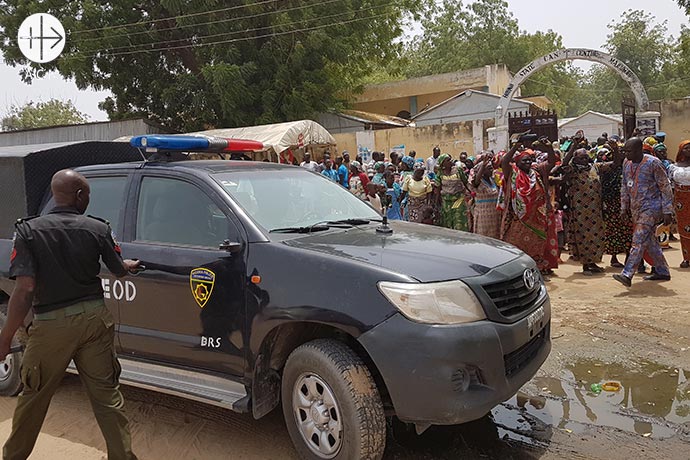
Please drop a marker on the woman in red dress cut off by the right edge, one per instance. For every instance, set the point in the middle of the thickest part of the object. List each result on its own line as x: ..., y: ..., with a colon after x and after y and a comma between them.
x: 680, y: 177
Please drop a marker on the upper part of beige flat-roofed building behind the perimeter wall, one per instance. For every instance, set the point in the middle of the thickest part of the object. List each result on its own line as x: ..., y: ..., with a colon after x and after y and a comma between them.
x: 407, y: 98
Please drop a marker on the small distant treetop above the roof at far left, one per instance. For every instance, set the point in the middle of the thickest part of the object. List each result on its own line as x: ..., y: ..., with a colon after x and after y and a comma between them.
x: 41, y: 115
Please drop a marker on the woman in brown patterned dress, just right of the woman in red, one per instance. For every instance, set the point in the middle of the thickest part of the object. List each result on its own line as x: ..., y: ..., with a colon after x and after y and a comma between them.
x: 586, y: 218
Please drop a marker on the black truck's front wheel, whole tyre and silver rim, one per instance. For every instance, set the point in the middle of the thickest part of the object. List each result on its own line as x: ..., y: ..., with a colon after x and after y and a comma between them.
x: 331, y: 405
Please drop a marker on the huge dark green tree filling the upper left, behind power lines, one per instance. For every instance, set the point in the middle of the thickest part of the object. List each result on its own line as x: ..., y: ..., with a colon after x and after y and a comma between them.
x: 194, y: 64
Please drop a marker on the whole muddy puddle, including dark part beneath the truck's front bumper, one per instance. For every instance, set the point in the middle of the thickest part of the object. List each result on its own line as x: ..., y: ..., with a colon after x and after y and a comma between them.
x: 651, y: 401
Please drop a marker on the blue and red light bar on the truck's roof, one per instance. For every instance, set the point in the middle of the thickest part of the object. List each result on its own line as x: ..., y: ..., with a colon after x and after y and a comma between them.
x: 195, y: 143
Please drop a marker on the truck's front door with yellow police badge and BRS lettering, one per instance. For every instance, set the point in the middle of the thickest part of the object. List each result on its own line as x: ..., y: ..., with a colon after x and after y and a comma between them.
x: 189, y: 303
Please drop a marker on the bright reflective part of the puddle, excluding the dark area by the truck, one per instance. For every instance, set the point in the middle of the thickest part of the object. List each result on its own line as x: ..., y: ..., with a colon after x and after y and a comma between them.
x: 651, y: 395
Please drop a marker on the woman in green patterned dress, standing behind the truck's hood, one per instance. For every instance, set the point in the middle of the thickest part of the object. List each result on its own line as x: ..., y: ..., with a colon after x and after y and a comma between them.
x: 451, y: 194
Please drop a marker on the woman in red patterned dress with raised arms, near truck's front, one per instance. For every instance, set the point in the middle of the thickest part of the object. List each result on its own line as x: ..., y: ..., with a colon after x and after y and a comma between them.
x: 529, y: 222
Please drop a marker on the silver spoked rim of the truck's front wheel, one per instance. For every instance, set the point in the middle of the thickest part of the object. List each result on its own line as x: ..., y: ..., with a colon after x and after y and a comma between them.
x: 317, y: 415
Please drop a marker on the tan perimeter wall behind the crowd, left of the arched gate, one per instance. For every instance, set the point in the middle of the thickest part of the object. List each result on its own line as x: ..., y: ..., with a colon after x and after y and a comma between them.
x: 452, y: 138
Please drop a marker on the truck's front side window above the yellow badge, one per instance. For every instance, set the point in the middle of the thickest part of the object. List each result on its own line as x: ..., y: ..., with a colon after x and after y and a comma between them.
x: 176, y: 212
